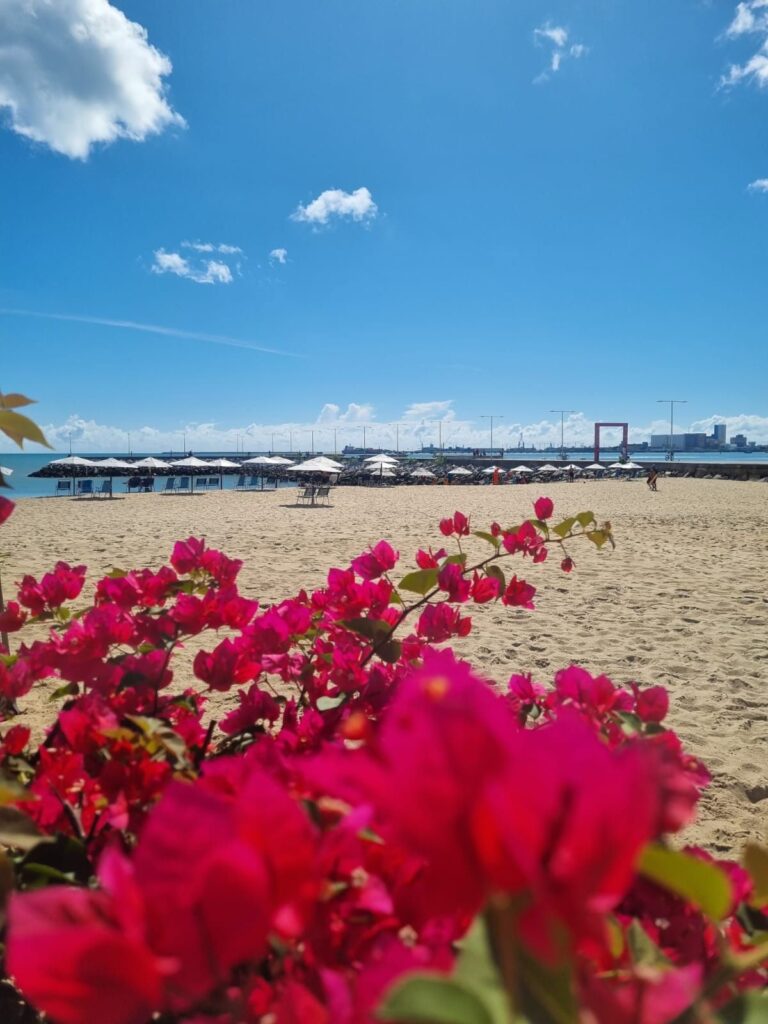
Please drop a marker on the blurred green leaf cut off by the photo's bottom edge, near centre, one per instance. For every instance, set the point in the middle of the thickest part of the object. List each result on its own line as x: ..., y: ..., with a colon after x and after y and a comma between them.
x: 424, y: 999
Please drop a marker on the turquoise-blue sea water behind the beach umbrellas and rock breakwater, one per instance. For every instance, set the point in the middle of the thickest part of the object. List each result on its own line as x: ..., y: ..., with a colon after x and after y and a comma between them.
x: 26, y: 487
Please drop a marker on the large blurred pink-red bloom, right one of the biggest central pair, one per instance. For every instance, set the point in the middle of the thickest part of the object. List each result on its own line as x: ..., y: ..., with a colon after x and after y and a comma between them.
x: 573, y: 840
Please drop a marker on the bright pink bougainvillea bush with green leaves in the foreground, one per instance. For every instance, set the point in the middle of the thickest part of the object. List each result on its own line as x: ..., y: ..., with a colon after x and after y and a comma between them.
x: 374, y: 832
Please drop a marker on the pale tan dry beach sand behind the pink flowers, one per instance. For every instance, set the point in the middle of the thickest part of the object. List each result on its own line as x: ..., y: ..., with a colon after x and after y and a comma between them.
x: 682, y: 602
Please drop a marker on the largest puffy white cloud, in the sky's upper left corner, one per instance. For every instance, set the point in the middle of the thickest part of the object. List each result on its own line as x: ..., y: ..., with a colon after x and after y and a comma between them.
x: 76, y: 73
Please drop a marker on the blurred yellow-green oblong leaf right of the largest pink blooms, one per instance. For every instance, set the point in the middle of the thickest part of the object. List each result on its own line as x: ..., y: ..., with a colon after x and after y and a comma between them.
x: 698, y: 882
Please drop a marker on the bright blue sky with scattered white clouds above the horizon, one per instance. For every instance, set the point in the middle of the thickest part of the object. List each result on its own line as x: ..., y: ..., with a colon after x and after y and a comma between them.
x: 473, y: 208
